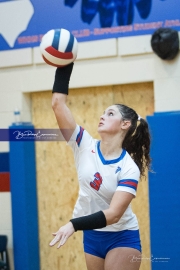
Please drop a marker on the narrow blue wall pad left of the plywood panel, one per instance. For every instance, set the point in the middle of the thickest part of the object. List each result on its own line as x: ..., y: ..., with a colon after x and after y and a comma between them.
x: 24, y: 203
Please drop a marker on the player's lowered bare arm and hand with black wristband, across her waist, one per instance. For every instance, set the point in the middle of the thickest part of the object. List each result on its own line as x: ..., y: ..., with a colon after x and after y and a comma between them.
x: 119, y: 204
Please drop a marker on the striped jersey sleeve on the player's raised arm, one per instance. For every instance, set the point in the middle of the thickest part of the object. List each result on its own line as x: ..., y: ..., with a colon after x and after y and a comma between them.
x: 80, y: 139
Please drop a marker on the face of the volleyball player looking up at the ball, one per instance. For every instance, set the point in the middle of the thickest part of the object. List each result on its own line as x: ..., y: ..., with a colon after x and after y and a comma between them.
x: 110, y: 121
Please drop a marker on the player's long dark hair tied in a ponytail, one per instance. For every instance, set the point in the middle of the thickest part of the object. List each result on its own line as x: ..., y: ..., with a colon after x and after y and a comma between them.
x: 137, y: 139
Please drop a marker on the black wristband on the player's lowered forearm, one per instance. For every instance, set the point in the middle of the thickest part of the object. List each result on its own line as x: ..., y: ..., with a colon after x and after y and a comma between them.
x: 90, y: 222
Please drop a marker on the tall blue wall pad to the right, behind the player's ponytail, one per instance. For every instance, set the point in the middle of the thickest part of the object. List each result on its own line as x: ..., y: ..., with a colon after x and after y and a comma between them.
x: 164, y: 191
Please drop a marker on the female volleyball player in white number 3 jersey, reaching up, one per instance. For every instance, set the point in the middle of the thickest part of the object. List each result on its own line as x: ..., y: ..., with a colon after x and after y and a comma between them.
x: 108, y: 172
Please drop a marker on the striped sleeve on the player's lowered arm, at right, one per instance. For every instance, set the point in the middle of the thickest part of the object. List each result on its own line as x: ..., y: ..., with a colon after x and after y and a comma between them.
x: 128, y: 180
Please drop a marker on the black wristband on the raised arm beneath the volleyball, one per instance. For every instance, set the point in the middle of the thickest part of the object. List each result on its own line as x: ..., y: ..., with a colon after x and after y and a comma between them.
x: 62, y: 77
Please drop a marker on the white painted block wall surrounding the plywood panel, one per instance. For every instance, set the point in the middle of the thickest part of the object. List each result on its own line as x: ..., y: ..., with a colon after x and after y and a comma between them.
x: 104, y: 62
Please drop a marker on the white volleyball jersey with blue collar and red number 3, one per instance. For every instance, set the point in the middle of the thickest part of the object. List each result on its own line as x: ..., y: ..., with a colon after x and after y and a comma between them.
x: 99, y: 179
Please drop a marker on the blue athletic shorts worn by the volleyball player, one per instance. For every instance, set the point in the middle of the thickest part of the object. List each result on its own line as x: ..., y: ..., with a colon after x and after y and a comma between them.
x: 99, y: 243
